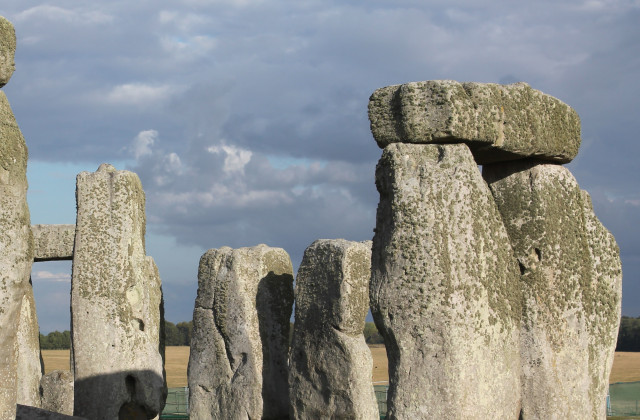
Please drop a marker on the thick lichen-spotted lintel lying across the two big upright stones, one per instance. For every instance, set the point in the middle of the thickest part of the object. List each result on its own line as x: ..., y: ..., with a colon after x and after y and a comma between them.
x: 498, y: 122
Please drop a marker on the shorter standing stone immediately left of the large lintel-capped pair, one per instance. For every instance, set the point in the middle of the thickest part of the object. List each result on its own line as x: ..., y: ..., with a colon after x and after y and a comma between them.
x: 330, y: 363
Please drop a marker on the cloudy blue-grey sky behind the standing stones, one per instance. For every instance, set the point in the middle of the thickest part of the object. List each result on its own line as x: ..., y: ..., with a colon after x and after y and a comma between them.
x: 246, y: 120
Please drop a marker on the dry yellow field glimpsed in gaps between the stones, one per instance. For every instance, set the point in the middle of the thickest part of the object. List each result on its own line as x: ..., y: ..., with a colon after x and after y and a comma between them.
x: 626, y: 366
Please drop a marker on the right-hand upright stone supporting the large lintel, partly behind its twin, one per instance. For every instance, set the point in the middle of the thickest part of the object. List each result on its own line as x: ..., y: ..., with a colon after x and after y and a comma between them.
x: 571, y: 278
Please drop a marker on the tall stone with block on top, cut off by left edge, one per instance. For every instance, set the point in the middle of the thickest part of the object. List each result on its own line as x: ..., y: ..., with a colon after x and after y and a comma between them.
x: 20, y: 369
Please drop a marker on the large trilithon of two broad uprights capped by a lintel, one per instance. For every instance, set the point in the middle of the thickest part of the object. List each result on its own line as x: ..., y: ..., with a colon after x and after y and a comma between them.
x: 497, y: 297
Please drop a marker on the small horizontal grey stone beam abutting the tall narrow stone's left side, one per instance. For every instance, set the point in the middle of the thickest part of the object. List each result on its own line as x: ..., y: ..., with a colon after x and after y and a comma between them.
x: 53, y: 242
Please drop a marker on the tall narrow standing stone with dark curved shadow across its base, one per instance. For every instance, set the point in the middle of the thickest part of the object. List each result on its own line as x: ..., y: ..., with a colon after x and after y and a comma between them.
x: 116, y: 301
